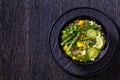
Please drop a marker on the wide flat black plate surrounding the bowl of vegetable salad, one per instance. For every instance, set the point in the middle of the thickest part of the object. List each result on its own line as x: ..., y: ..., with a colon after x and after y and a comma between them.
x: 112, y: 40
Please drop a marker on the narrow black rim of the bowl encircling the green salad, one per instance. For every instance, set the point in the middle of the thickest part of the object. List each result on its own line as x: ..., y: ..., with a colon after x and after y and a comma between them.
x: 86, y: 17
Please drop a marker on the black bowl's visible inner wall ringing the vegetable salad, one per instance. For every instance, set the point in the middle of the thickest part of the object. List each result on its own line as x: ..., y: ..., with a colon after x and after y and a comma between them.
x: 84, y: 17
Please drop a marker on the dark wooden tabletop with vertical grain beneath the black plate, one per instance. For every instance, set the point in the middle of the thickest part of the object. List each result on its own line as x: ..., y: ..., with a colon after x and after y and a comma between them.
x: 24, y: 27
